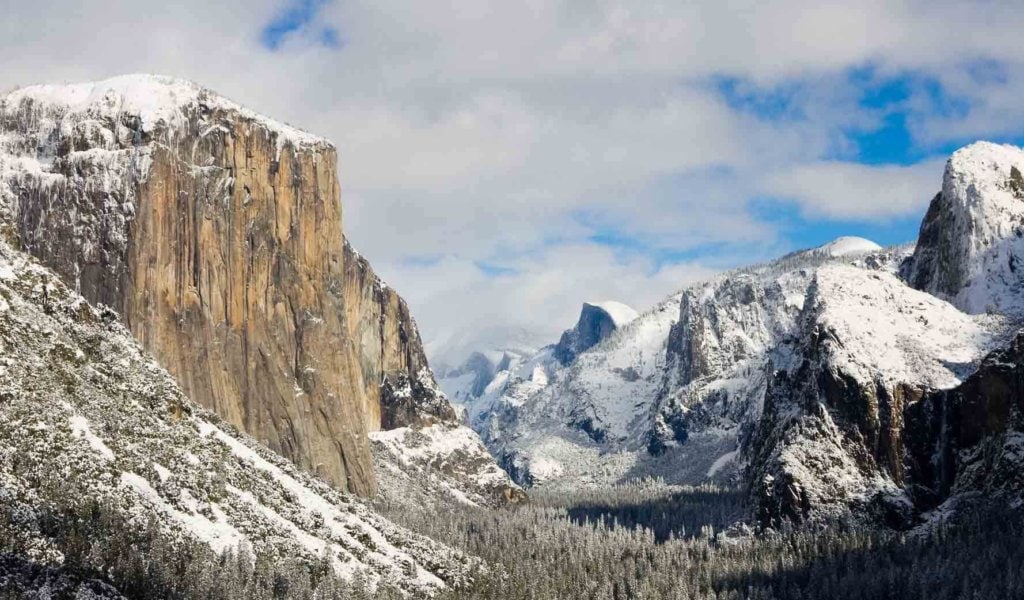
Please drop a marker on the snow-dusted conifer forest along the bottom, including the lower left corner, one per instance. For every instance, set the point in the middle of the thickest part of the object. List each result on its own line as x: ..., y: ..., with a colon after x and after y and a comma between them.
x: 629, y: 542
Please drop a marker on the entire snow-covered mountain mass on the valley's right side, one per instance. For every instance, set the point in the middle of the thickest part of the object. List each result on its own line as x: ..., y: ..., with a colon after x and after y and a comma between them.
x: 799, y: 378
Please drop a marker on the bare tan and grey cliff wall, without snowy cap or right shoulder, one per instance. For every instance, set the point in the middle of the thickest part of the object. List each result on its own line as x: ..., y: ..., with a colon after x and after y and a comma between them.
x: 230, y: 270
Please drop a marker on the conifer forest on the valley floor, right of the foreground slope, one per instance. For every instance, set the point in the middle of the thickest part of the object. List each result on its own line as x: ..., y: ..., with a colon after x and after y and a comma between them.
x: 638, y: 542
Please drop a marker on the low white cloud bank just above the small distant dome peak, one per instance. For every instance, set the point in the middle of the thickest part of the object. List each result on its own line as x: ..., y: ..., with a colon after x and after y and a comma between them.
x: 541, y: 295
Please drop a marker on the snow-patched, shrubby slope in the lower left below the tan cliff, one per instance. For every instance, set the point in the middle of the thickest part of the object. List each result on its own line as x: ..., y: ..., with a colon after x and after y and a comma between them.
x: 86, y: 416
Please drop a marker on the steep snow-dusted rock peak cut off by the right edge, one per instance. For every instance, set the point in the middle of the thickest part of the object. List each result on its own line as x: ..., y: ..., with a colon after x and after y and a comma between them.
x: 971, y: 246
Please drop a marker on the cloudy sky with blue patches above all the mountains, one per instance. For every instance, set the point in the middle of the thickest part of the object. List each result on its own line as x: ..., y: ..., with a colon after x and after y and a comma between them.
x: 504, y: 162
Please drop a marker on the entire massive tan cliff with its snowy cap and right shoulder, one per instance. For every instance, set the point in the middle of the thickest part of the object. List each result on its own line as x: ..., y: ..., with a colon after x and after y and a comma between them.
x: 218, y: 236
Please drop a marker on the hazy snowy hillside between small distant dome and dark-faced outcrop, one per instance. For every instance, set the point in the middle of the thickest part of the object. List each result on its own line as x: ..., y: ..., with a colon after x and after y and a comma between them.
x: 667, y: 395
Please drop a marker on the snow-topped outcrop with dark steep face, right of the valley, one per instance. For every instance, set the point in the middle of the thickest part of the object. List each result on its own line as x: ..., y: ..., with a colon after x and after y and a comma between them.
x: 832, y: 442
